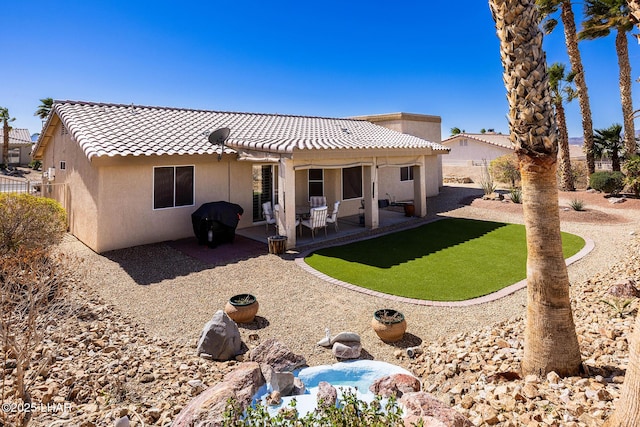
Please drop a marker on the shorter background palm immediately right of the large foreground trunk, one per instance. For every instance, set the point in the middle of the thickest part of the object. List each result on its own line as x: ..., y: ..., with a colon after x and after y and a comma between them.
x: 561, y: 91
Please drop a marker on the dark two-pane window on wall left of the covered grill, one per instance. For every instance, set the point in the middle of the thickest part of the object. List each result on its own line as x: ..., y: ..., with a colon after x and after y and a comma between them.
x: 172, y: 186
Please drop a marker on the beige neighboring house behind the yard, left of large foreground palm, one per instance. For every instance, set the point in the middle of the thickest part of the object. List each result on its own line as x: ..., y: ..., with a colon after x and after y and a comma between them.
x: 471, y: 149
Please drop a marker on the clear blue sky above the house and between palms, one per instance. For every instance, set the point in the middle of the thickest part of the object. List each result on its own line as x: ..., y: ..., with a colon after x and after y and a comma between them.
x: 331, y: 58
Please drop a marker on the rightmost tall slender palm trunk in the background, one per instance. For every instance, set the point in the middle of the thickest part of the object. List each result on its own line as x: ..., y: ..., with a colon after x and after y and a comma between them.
x: 622, y: 49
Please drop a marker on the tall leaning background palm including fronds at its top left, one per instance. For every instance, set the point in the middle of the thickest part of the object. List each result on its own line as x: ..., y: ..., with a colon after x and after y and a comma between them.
x: 548, y: 8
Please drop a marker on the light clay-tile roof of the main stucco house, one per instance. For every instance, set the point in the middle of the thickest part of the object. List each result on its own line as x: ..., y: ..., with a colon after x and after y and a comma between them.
x: 133, y: 130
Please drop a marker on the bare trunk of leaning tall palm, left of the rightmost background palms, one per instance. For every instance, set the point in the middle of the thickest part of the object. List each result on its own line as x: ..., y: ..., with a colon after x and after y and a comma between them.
x: 571, y: 40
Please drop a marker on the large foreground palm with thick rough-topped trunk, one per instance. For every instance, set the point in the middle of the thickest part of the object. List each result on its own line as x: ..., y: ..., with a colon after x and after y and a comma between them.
x: 550, y: 342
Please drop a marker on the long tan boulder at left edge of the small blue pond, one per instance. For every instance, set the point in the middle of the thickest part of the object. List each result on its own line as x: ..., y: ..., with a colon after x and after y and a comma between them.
x: 208, y: 408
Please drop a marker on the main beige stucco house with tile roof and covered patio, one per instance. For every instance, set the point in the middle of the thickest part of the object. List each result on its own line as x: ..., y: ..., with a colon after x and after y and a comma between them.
x: 131, y: 175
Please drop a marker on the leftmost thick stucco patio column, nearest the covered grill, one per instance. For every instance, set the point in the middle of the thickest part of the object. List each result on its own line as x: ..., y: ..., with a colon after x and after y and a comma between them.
x: 287, y: 201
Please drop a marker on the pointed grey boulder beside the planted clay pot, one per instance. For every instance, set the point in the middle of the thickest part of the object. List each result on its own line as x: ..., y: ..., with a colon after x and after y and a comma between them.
x: 220, y: 338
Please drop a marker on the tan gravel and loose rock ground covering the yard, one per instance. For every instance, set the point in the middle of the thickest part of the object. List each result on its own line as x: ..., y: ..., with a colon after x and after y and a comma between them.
x: 134, y: 350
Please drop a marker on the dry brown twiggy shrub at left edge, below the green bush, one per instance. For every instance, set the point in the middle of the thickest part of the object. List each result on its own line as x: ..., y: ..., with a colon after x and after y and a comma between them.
x: 33, y: 285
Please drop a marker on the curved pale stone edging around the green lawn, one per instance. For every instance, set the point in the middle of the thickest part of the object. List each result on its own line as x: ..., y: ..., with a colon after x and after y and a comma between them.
x: 300, y: 261
